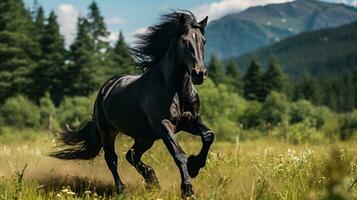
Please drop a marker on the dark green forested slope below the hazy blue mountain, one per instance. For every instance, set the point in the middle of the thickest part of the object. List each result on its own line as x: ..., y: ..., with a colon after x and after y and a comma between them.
x: 320, y: 52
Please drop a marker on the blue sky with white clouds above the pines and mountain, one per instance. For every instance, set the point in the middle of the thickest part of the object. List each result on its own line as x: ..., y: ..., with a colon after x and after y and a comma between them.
x: 133, y: 16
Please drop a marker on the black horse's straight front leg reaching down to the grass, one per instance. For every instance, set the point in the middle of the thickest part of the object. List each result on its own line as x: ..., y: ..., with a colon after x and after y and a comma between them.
x: 167, y: 134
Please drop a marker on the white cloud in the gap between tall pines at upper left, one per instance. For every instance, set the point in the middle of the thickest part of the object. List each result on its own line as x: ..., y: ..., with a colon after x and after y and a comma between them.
x: 67, y: 19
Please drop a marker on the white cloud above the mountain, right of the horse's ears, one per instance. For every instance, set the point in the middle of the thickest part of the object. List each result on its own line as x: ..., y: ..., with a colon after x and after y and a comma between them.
x: 218, y: 9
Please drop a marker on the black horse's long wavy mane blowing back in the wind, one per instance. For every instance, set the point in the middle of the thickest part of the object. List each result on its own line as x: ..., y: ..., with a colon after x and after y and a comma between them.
x: 152, y: 45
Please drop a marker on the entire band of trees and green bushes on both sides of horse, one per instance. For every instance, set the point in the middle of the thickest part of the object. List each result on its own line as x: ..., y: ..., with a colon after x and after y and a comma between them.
x: 43, y: 84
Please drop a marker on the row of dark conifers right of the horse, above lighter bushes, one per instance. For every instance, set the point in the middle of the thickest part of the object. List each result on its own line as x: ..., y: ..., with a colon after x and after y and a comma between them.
x: 336, y: 91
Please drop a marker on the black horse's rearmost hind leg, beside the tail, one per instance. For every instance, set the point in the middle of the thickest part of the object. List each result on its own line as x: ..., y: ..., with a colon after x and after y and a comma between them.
x: 111, y: 159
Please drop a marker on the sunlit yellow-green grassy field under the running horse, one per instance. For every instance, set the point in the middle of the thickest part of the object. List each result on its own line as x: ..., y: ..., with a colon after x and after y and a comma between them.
x: 260, y: 169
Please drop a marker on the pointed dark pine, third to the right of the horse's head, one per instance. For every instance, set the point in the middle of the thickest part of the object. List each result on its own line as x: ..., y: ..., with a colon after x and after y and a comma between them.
x: 252, y: 82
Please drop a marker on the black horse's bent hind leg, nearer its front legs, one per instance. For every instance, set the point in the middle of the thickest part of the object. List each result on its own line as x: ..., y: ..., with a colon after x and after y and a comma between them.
x: 134, y: 158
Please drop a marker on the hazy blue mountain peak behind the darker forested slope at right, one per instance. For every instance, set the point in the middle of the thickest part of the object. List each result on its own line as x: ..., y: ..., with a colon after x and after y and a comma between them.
x: 256, y: 27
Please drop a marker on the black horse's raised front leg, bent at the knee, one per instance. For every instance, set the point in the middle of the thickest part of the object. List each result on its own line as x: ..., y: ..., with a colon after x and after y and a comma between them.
x: 196, y: 126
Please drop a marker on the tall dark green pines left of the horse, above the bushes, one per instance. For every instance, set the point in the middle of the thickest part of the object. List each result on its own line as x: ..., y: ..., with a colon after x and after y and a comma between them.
x: 34, y: 59
